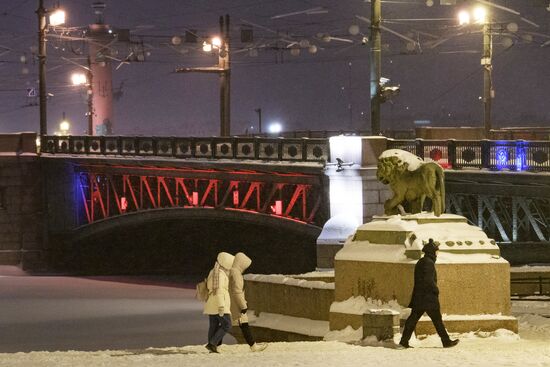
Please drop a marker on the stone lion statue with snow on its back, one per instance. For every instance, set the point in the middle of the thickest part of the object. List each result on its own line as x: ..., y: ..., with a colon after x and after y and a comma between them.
x: 412, y: 181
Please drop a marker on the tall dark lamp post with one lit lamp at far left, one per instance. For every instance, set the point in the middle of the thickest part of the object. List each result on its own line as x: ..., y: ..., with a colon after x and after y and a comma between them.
x: 57, y: 17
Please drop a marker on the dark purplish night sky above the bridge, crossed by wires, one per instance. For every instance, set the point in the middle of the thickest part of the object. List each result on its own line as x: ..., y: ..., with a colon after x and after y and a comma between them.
x: 326, y: 90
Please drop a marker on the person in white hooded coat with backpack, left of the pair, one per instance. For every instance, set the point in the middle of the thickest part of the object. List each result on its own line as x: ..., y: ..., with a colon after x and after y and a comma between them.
x: 218, y: 304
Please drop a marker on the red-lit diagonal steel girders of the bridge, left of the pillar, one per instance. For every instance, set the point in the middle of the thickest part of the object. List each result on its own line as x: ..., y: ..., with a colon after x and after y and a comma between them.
x: 108, y: 191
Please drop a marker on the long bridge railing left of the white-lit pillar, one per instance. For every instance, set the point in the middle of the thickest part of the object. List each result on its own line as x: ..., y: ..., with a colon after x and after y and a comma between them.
x: 277, y: 149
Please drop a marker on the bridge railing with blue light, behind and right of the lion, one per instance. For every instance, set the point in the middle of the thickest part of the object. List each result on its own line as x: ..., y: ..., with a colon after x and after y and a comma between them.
x: 513, y: 155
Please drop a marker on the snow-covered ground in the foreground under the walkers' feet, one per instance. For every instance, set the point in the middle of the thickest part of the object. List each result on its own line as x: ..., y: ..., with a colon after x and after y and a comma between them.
x: 501, y: 348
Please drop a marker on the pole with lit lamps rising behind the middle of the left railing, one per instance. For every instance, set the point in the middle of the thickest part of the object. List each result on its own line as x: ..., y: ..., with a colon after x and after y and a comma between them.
x: 225, y: 77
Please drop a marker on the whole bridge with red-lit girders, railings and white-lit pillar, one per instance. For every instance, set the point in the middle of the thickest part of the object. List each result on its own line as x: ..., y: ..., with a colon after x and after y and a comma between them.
x: 260, y: 188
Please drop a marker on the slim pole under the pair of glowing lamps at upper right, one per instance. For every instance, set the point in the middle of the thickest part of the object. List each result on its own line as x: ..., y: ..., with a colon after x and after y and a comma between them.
x: 488, y: 92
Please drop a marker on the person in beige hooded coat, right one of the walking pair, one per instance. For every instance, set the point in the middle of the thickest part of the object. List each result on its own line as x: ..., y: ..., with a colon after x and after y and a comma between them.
x: 239, y: 306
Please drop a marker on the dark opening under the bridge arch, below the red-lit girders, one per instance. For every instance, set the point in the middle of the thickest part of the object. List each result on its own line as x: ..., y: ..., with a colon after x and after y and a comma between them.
x: 186, y: 241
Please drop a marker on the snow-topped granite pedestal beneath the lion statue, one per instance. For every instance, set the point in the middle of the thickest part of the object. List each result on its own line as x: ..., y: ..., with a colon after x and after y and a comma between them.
x: 378, y: 263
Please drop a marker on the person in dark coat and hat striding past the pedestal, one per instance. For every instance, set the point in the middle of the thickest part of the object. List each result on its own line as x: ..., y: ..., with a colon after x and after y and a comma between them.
x: 425, y: 297
